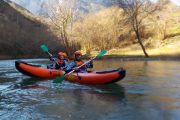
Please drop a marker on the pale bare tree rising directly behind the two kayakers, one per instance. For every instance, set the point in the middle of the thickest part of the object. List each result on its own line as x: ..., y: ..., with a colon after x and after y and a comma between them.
x: 61, y: 16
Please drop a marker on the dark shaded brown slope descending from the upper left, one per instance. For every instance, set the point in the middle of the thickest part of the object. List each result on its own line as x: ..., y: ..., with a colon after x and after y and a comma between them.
x: 21, y: 35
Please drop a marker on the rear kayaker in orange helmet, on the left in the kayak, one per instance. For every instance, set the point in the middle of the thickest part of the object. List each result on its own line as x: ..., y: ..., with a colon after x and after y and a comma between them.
x: 58, y: 63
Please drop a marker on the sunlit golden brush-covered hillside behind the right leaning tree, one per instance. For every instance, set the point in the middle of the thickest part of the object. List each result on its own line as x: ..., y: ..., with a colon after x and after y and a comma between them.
x: 106, y: 30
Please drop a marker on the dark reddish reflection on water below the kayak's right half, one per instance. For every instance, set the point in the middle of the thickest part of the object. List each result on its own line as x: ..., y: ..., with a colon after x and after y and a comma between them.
x: 101, y: 93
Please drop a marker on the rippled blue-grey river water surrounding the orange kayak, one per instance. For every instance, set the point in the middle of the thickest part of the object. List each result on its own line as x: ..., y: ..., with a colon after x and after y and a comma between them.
x: 150, y: 91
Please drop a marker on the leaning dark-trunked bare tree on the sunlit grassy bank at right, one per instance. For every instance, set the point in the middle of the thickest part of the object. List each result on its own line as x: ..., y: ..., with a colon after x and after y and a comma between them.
x: 136, y: 12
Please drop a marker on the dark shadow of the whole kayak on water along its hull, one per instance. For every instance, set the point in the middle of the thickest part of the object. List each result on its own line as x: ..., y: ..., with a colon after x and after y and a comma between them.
x: 105, y: 92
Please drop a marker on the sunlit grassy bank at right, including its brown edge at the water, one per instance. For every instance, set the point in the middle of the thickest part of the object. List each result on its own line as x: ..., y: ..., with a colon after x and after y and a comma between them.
x: 170, y: 49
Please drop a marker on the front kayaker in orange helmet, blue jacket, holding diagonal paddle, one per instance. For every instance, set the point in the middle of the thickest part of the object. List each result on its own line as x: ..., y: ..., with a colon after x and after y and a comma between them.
x: 78, y: 62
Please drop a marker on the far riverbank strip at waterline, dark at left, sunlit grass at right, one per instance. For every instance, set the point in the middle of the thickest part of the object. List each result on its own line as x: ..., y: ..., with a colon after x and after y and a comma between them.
x: 168, y: 50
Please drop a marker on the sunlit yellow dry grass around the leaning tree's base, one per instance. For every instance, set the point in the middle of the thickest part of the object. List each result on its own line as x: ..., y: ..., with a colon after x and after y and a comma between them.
x: 169, y: 49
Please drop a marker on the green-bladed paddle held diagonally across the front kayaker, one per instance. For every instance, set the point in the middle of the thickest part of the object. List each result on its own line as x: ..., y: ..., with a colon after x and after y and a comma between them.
x: 61, y: 78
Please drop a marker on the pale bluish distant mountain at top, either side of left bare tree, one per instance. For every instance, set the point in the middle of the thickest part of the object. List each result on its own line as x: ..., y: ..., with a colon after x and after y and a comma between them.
x: 38, y: 7
